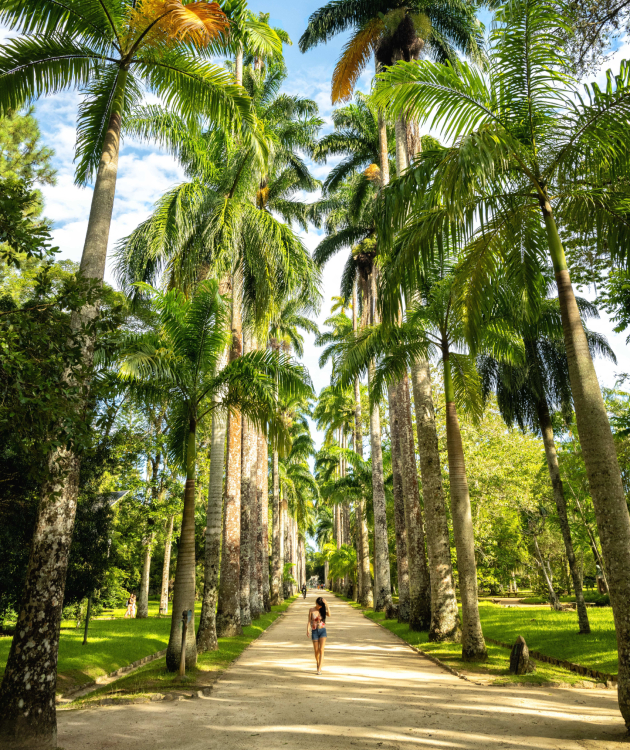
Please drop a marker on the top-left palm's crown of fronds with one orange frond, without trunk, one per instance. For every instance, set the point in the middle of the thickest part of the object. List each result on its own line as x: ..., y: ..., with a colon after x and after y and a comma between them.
x: 113, y: 50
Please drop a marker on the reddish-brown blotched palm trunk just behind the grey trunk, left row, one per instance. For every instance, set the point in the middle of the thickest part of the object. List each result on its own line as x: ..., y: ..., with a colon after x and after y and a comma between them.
x: 228, y: 612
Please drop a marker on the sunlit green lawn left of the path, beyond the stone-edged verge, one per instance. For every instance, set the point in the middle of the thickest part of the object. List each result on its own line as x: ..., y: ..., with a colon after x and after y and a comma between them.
x: 112, y: 643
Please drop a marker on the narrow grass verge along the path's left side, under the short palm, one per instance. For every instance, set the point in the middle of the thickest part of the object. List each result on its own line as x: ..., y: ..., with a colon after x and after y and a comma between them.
x: 153, y: 678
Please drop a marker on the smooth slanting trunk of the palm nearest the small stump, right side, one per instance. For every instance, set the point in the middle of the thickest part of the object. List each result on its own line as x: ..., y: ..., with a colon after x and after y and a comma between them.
x: 473, y: 644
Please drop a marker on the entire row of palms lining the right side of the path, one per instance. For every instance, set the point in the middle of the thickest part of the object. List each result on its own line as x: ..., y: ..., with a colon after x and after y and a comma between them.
x: 458, y: 258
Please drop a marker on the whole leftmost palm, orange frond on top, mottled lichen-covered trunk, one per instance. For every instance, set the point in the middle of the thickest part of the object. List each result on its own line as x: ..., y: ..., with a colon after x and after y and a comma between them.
x: 111, y: 50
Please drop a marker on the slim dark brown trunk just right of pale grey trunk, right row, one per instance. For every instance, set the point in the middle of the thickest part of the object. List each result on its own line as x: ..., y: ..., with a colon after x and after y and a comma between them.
x: 400, y: 527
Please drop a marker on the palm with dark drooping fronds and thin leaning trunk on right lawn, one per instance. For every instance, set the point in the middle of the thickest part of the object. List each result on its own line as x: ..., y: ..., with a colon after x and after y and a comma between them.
x: 528, y: 395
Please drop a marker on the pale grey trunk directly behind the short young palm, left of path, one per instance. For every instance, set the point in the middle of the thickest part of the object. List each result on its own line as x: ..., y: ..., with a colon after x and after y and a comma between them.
x: 207, y: 633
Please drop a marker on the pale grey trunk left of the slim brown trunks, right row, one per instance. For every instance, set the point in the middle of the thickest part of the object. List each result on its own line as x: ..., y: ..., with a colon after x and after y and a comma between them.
x: 382, y: 578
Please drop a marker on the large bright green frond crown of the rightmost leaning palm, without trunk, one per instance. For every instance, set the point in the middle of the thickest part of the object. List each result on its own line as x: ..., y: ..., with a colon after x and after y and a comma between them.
x: 526, y: 142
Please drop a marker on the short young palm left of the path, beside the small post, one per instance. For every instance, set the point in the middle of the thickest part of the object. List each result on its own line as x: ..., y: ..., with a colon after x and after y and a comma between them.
x: 180, y: 363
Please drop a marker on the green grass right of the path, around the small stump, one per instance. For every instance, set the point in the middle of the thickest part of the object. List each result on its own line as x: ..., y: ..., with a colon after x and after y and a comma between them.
x: 551, y: 633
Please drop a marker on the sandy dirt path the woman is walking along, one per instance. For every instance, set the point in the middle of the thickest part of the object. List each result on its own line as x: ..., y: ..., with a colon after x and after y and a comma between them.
x: 375, y: 694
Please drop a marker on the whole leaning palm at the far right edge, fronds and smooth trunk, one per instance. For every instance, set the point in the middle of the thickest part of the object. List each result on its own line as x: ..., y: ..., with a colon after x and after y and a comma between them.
x: 549, y: 154
